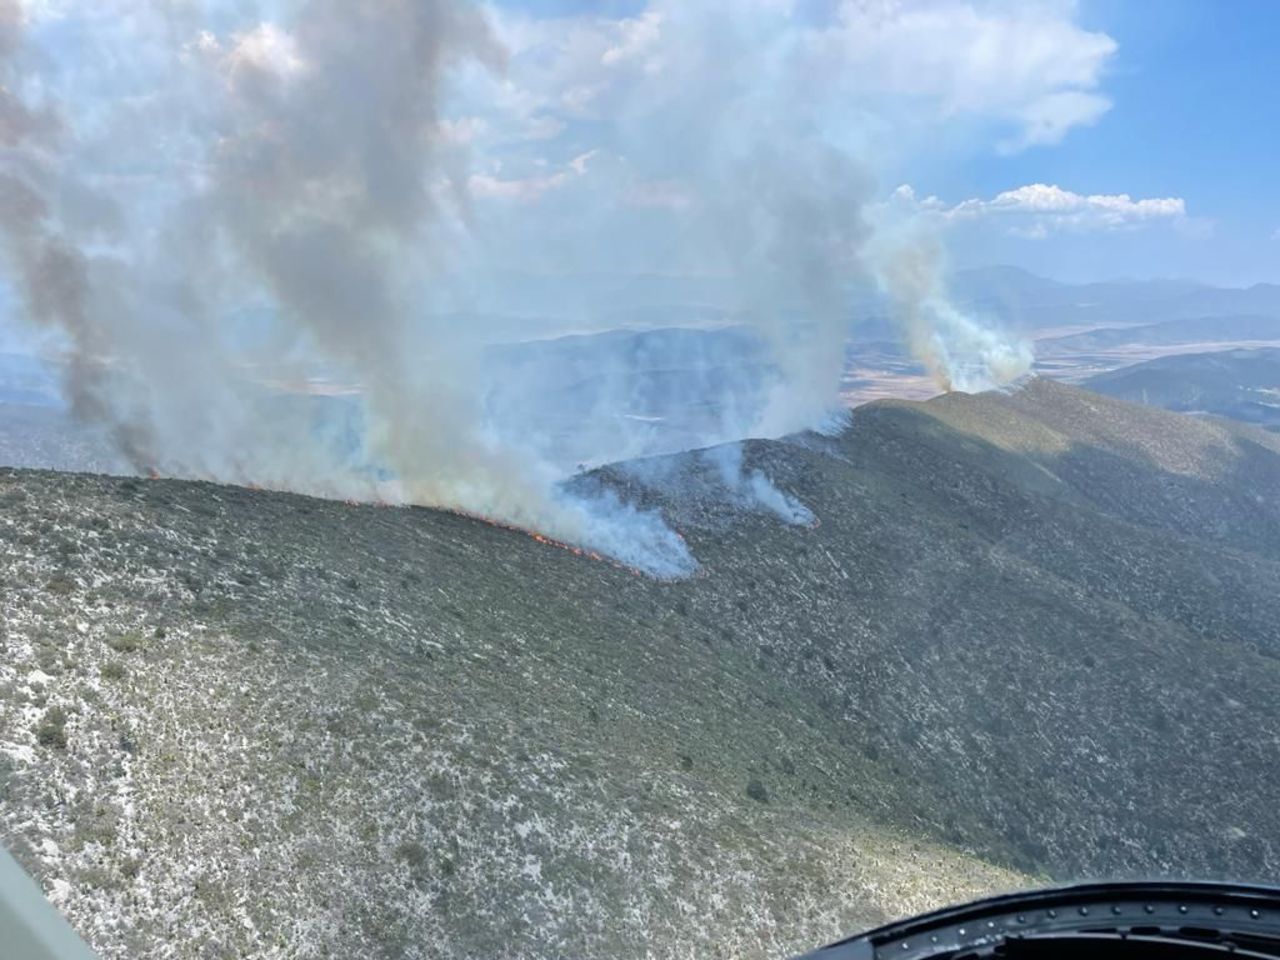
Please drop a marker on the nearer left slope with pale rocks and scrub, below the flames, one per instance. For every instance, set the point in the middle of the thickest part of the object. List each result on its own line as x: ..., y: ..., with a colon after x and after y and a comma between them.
x: 263, y: 725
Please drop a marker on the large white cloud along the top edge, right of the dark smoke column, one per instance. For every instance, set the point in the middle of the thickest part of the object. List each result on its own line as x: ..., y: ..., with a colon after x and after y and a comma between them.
x: 1026, y: 68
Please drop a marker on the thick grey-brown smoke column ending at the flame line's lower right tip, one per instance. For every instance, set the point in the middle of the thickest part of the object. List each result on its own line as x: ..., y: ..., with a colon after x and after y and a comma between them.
x: 324, y: 180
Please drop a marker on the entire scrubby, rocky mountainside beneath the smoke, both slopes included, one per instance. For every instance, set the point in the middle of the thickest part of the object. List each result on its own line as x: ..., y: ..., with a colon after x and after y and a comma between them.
x: 1030, y: 637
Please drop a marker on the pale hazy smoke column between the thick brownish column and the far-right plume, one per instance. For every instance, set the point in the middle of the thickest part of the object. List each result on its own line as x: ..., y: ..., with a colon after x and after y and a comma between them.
x: 726, y: 111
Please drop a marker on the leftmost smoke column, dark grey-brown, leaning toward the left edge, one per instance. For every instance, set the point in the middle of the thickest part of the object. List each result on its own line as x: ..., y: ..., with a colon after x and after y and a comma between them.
x: 132, y: 301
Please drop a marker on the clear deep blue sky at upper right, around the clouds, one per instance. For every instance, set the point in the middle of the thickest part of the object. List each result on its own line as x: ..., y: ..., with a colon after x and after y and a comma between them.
x: 1196, y: 115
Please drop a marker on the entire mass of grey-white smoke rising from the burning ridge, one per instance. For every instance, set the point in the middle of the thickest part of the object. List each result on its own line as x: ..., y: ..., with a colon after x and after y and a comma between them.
x: 264, y: 189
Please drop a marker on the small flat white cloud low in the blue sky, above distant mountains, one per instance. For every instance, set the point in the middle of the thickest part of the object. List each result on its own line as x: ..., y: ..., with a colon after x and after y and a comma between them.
x: 1041, y: 209
